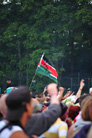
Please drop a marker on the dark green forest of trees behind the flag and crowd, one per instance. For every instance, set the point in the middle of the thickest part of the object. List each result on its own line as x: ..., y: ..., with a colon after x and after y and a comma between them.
x: 62, y: 29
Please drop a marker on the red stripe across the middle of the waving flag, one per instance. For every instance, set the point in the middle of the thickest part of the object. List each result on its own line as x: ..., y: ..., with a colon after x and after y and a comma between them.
x: 50, y: 68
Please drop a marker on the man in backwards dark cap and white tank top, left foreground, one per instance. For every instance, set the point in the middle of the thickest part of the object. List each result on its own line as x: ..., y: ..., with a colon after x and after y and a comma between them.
x: 20, y: 109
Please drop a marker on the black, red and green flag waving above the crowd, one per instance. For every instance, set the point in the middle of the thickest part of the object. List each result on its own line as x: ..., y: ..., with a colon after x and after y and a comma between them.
x: 45, y: 68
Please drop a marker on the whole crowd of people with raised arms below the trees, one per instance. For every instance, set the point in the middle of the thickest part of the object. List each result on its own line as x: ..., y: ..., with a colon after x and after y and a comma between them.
x: 55, y: 115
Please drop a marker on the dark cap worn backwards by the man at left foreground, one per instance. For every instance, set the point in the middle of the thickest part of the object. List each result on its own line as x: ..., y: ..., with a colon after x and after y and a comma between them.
x: 16, y: 102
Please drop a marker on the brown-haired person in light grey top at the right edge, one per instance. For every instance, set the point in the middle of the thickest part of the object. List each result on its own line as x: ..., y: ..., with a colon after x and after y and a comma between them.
x: 86, y: 117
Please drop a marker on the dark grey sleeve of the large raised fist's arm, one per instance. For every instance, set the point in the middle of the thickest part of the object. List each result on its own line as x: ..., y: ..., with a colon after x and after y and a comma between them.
x: 39, y: 123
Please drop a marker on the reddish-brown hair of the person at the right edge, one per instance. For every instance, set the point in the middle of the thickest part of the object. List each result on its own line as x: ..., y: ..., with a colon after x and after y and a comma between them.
x: 87, y: 109
